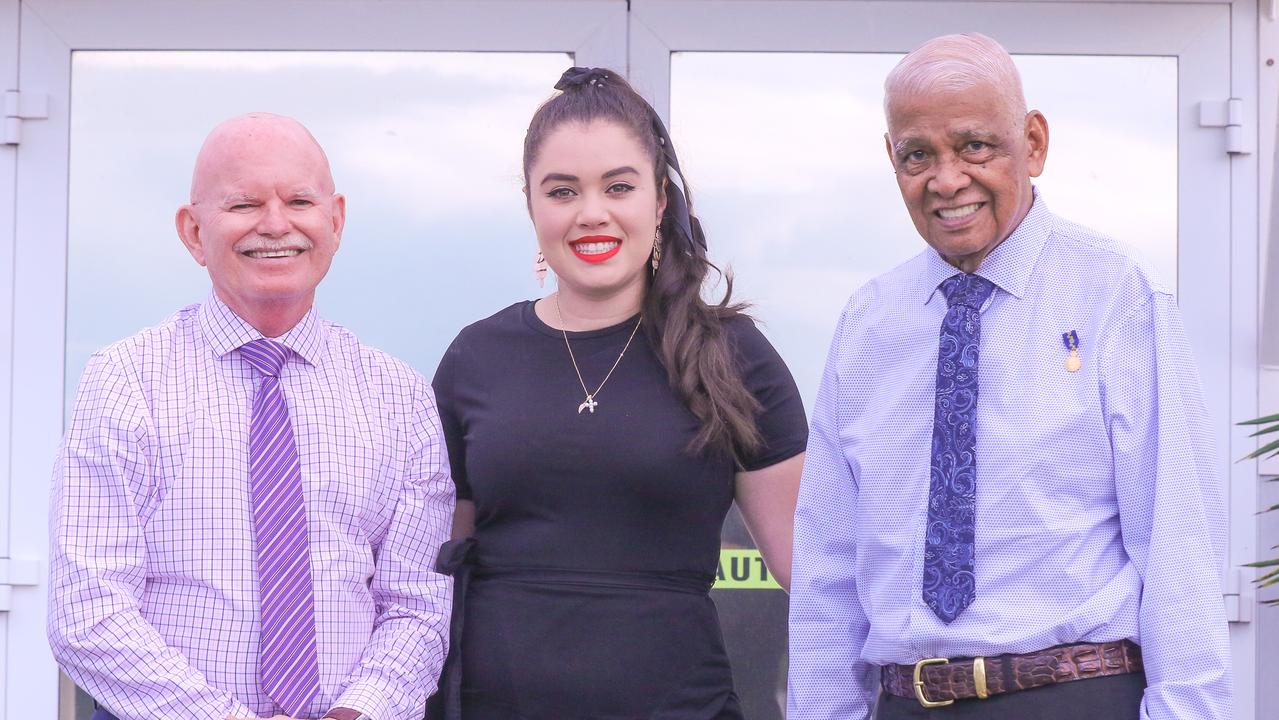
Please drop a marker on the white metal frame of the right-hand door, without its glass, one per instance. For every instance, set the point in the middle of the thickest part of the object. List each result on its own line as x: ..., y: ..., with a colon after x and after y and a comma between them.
x: 1217, y: 51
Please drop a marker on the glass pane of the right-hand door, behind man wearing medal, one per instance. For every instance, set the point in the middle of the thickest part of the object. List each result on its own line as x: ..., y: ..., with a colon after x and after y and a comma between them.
x: 792, y: 181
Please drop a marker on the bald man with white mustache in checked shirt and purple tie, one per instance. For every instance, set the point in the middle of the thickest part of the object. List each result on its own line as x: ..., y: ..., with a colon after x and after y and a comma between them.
x: 249, y: 502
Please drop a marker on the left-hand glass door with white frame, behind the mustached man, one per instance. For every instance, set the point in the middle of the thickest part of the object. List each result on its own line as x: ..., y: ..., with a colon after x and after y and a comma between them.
x: 421, y: 108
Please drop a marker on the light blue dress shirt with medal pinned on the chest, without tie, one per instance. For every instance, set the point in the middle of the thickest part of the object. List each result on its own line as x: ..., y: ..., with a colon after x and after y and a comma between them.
x: 1099, y: 513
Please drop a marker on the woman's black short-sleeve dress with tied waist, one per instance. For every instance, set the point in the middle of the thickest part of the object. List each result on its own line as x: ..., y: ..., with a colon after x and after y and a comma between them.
x: 597, y: 534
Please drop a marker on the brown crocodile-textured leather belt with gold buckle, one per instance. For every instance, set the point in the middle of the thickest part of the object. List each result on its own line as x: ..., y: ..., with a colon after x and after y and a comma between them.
x: 937, y: 682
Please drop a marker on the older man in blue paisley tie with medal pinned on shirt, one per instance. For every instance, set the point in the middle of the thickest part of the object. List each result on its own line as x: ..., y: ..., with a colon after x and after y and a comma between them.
x: 1015, y: 516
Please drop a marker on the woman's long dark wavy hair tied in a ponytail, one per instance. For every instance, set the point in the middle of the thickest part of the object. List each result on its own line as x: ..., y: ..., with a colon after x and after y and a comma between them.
x: 689, y: 333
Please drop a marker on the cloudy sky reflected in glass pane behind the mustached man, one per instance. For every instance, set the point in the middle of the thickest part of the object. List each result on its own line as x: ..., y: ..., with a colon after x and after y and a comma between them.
x: 427, y: 148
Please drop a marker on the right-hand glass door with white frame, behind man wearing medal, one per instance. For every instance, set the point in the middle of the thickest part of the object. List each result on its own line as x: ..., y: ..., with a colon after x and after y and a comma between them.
x: 777, y: 109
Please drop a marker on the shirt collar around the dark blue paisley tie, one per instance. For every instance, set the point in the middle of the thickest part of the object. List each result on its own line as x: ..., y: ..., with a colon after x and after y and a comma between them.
x: 1011, y: 264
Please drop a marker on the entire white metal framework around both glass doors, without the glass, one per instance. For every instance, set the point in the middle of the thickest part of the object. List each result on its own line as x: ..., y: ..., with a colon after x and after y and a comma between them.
x: 1220, y: 286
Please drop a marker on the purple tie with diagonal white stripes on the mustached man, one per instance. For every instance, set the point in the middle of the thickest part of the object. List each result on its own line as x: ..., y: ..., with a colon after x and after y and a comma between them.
x: 287, y: 659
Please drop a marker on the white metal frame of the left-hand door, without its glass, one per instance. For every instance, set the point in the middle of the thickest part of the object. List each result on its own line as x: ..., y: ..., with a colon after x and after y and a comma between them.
x: 51, y: 31
